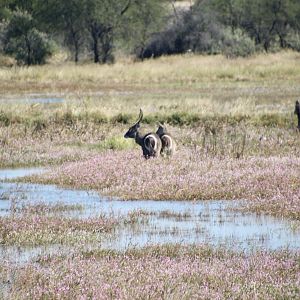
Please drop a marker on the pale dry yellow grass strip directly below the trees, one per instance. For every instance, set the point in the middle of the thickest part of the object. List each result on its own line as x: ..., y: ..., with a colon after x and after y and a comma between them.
x: 175, y: 70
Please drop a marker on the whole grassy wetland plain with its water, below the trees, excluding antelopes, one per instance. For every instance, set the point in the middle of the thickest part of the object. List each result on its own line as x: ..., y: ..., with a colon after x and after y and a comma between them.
x: 237, y: 140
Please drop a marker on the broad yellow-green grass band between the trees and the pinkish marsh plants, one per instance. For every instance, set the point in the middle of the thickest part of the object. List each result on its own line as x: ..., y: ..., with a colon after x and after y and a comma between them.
x: 181, y: 90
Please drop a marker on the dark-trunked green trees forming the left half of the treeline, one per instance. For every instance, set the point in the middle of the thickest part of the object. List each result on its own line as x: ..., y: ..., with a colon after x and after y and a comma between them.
x: 31, y: 30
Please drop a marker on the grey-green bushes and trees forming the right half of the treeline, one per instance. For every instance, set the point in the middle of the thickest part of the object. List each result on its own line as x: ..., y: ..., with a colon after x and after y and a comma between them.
x: 232, y: 27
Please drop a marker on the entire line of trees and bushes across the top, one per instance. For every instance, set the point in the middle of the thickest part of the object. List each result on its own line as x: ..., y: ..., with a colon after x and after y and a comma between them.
x: 32, y: 30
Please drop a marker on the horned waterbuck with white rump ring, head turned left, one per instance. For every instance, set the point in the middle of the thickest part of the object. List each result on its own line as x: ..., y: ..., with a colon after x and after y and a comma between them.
x: 150, y: 142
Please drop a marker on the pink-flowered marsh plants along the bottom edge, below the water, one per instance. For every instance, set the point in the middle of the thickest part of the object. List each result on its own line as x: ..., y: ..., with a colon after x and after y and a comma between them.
x: 171, y: 271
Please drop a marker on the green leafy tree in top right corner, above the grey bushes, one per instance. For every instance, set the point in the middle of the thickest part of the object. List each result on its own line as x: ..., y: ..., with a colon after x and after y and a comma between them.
x: 266, y: 21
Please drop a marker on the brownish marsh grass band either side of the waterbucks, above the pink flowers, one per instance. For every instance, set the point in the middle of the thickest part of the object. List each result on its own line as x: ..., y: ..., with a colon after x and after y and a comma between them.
x: 54, y: 142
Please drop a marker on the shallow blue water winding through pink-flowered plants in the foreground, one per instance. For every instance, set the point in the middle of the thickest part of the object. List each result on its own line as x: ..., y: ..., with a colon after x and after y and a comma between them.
x: 159, y: 222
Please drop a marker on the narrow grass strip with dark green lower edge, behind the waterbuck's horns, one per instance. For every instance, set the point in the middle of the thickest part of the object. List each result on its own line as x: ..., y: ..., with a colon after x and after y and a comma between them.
x: 177, y: 112
